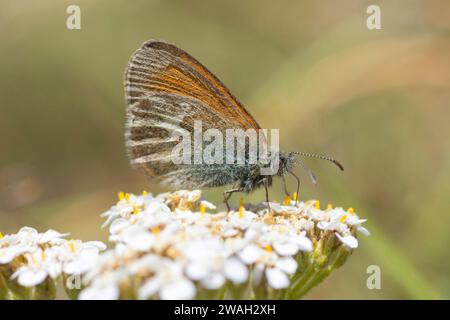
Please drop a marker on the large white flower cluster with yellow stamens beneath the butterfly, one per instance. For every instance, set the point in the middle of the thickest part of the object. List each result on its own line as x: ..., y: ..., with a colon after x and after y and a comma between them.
x: 170, y: 247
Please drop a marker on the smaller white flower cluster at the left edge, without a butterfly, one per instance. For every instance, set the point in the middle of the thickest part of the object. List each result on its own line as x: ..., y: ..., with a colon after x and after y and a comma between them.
x: 30, y: 257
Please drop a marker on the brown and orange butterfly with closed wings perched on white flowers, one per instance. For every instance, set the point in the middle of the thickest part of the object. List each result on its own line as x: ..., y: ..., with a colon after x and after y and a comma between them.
x: 166, y: 91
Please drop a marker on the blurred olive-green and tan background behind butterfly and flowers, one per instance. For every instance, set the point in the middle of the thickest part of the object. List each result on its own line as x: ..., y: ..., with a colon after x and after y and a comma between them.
x: 376, y: 100
